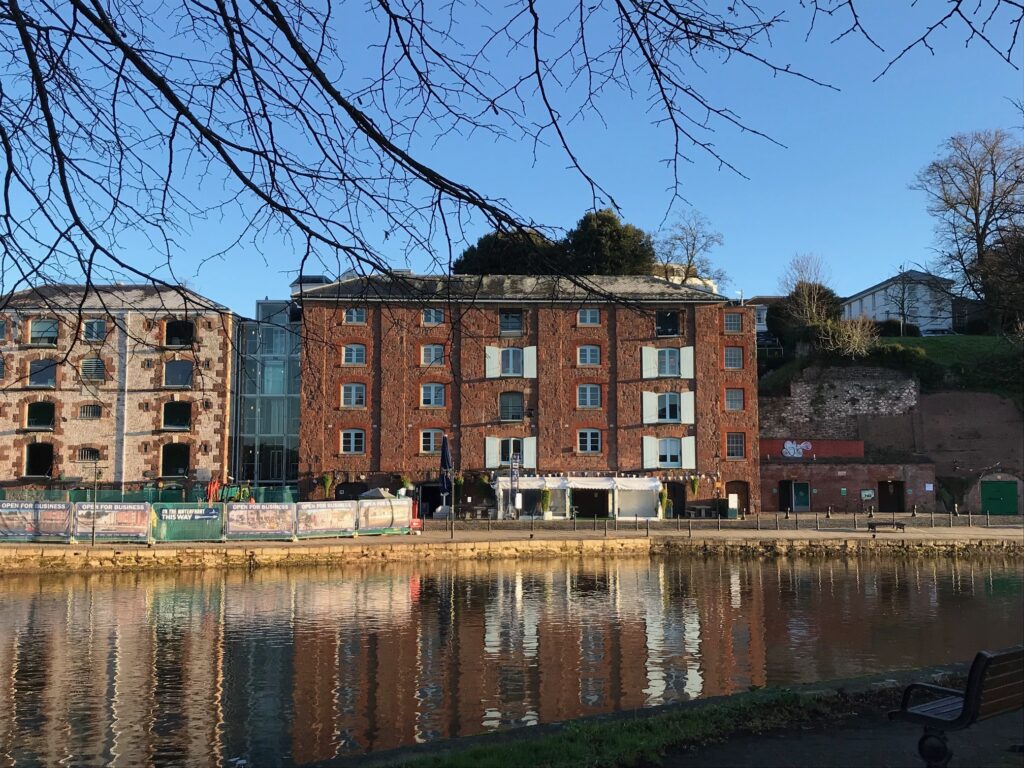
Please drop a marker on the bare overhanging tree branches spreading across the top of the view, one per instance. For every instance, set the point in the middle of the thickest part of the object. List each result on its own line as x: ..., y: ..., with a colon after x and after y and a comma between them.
x: 115, y: 115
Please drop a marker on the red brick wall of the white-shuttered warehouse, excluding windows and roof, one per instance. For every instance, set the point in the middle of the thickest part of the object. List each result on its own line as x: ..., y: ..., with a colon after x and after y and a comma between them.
x: 394, y: 418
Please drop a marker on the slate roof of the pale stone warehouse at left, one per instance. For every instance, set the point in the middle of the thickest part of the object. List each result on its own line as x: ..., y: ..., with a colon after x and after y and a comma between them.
x: 110, y: 298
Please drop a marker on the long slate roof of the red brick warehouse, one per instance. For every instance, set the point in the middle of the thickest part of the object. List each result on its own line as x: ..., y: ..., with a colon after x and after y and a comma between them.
x: 520, y: 288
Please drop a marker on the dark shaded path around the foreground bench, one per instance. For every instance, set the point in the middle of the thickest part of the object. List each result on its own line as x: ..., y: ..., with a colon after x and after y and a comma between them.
x: 867, y: 742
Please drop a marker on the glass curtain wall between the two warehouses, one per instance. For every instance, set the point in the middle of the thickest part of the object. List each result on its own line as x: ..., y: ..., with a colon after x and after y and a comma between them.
x: 268, y: 434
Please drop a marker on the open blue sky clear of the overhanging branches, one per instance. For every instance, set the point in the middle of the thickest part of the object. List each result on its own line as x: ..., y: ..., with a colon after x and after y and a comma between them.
x: 839, y: 188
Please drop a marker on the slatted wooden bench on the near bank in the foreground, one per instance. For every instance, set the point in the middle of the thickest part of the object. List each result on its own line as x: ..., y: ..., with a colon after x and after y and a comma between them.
x: 995, y: 687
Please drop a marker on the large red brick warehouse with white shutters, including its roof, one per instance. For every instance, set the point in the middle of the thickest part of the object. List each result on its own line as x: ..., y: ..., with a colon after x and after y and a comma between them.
x: 633, y: 377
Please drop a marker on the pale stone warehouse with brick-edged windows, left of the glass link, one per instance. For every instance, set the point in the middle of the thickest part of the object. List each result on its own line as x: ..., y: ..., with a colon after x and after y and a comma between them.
x: 131, y: 380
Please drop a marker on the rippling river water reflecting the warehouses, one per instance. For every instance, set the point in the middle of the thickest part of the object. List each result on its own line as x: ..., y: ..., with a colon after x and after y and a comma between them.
x: 291, y: 667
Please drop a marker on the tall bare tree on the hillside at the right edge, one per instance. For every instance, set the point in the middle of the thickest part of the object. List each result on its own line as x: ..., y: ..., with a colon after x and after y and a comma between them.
x: 975, y: 192
